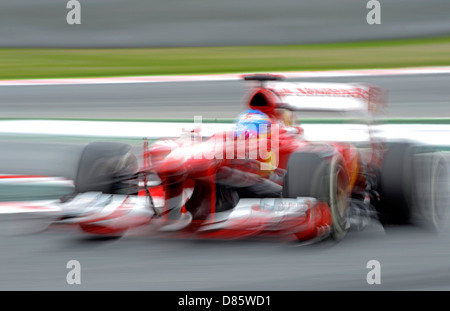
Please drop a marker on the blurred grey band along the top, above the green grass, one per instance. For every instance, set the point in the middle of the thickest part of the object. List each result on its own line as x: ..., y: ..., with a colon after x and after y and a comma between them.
x: 152, y: 23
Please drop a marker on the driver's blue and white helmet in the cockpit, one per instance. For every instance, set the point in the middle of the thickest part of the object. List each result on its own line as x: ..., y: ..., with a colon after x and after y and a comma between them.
x: 252, y: 124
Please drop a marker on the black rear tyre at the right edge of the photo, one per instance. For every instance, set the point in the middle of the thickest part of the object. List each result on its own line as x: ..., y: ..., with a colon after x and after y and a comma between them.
x: 413, y: 186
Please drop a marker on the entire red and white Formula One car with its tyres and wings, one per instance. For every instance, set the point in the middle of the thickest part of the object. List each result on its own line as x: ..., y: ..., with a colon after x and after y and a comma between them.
x: 262, y: 177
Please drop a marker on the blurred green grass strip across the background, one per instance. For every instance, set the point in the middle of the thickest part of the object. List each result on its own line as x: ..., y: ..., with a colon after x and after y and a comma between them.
x: 20, y: 63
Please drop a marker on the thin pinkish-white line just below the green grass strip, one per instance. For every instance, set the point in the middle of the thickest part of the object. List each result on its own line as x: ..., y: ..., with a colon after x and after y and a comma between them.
x: 228, y: 77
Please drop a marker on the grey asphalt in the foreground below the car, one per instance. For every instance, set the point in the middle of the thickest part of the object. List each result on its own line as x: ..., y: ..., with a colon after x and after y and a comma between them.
x: 409, y: 259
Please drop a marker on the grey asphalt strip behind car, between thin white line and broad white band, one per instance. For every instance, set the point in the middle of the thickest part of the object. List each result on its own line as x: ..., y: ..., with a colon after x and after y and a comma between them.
x: 416, y: 96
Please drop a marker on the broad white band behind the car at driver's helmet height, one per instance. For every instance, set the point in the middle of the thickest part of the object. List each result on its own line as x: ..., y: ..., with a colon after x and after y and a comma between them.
x: 433, y: 134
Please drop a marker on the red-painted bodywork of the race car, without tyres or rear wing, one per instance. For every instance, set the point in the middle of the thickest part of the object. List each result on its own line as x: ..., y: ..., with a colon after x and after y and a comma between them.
x: 180, y: 164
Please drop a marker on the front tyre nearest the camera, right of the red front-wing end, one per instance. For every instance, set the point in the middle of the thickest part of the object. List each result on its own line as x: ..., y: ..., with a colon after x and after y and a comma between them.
x: 309, y: 175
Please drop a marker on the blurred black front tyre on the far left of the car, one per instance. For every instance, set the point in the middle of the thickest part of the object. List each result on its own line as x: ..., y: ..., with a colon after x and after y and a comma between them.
x: 104, y: 167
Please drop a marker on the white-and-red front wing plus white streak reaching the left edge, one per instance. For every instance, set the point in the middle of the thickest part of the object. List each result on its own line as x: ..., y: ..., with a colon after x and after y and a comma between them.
x: 107, y: 214
